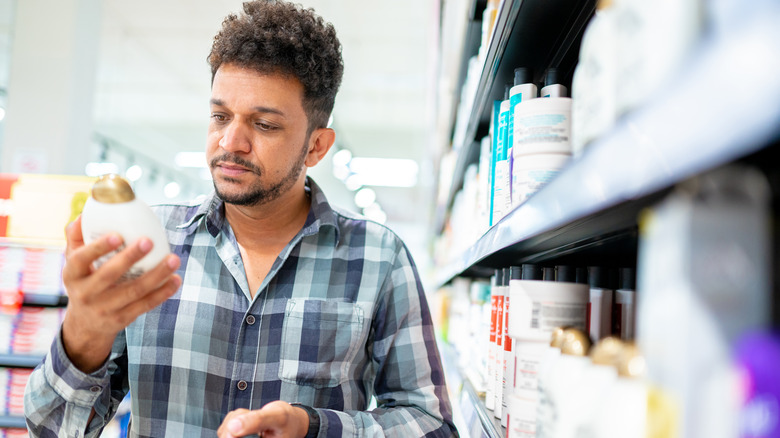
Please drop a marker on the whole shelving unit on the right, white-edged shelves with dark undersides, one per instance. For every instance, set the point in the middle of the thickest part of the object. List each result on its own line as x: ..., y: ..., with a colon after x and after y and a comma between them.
x: 591, y: 210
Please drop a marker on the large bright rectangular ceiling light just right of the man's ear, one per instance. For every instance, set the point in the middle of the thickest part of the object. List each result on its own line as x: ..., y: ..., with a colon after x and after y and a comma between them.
x: 388, y: 172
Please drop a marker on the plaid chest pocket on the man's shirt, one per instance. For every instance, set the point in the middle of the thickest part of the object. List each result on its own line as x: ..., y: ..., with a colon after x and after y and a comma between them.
x: 320, y: 340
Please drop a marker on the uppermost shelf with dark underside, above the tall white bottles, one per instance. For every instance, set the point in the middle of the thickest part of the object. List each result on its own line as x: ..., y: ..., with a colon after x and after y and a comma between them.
x: 528, y: 33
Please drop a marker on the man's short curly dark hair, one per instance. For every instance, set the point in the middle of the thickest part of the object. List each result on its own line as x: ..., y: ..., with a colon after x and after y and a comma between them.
x: 273, y: 36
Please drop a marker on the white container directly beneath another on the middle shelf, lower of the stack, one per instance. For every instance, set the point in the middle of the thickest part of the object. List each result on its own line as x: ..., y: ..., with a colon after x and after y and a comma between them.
x: 532, y: 172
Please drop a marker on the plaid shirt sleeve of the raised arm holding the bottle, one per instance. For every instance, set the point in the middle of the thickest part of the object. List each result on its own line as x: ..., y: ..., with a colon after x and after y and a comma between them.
x: 59, y: 399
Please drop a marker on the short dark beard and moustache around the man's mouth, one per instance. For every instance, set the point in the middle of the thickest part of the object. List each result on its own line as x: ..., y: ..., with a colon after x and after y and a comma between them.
x: 258, y: 193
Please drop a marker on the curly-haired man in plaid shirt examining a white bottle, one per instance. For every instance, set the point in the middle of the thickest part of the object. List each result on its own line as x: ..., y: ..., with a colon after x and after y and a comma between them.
x: 270, y: 297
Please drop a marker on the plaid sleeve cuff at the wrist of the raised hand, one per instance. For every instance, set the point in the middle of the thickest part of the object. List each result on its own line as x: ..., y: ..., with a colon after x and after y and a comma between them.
x: 69, y: 382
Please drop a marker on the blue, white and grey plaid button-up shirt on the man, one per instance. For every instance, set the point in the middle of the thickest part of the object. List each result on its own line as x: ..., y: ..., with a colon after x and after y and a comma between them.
x: 341, y: 317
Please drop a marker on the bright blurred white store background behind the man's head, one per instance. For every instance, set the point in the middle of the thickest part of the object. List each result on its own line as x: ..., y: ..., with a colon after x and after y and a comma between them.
x: 124, y: 87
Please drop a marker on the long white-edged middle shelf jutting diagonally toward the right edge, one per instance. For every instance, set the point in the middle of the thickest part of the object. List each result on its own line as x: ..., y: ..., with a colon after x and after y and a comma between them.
x: 597, y: 197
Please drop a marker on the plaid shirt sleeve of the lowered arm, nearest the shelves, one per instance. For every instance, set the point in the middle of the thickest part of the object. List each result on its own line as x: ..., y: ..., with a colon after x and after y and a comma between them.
x: 410, y: 389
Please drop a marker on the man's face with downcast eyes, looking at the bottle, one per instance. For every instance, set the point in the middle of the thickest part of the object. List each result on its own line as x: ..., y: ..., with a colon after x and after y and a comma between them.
x: 257, y: 141
